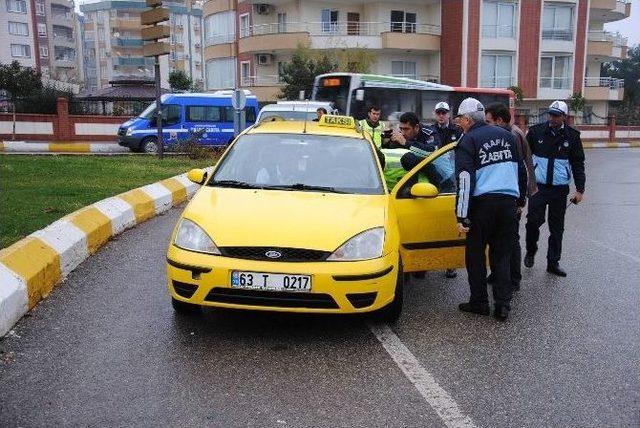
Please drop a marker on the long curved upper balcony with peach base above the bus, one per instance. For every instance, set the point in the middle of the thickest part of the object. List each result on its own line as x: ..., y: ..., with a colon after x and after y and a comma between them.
x: 345, y: 34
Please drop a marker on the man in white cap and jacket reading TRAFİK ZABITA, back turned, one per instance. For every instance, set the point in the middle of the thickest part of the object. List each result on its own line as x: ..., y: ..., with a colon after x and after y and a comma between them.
x: 491, y: 183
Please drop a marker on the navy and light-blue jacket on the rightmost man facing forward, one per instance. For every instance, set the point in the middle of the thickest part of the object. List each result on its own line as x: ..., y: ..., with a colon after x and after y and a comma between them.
x: 557, y: 155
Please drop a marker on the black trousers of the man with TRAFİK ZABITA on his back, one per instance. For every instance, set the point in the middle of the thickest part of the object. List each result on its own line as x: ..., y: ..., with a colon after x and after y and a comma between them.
x: 493, y: 219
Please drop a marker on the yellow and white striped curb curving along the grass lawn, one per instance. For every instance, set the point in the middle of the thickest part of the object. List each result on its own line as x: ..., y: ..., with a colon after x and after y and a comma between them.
x: 33, y: 266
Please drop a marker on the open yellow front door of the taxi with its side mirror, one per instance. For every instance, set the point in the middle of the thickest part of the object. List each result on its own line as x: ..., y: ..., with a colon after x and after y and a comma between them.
x: 429, y: 239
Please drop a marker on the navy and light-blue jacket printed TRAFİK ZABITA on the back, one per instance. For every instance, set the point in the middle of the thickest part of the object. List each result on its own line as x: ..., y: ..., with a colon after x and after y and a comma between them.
x: 488, y: 163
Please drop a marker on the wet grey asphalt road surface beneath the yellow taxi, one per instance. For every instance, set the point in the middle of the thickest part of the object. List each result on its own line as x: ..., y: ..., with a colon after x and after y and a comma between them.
x: 106, y: 349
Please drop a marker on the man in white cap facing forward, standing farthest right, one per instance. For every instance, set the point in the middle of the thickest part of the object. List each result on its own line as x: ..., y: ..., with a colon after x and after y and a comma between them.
x: 557, y: 156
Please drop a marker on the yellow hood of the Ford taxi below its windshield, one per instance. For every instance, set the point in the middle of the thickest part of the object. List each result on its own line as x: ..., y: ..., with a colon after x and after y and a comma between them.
x: 312, y: 220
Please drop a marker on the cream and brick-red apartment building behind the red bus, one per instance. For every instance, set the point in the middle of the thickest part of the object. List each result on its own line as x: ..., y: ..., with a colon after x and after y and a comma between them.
x: 550, y: 49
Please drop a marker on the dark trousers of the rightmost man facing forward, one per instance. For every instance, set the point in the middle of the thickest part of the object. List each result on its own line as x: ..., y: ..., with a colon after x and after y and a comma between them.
x: 555, y: 197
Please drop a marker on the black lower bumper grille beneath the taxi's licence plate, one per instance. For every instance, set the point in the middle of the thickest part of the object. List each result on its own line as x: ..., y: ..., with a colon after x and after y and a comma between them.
x: 274, y: 299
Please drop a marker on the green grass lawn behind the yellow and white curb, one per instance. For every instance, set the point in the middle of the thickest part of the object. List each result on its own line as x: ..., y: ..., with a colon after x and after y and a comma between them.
x: 37, y: 190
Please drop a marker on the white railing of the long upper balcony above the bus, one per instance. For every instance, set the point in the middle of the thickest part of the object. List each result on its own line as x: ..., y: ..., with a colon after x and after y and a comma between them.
x: 344, y: 28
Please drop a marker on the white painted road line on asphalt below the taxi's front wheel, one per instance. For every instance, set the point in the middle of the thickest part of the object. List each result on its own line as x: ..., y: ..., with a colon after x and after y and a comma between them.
x: 425, y: 383
